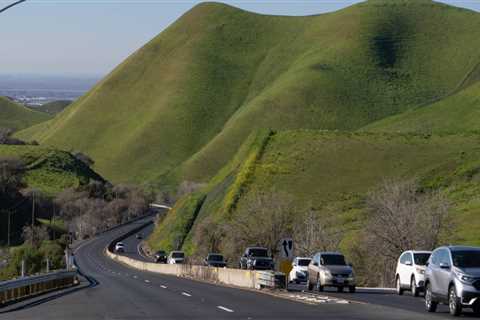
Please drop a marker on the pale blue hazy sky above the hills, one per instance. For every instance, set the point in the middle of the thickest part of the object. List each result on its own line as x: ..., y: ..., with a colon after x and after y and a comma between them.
x: 93, y: 36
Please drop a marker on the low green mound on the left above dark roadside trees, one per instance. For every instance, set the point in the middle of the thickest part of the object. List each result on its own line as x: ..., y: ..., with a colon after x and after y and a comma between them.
x: 48, y: 170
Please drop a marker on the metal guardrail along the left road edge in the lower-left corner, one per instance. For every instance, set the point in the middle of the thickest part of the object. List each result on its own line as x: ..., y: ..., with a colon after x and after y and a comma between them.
x: 14, y: 290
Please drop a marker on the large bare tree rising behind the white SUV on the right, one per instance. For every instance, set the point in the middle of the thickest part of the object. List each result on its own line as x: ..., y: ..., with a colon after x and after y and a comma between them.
x: 402, y: 218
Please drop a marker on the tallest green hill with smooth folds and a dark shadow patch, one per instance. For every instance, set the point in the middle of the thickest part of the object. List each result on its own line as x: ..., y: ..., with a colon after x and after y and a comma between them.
x: 180, y: 107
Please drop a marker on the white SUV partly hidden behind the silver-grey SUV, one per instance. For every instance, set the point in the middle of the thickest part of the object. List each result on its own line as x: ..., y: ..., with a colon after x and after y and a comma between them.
x: 410, y: 272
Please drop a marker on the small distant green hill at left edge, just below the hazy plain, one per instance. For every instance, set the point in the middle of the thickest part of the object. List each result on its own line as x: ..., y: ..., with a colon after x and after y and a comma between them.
x: 16, y: 116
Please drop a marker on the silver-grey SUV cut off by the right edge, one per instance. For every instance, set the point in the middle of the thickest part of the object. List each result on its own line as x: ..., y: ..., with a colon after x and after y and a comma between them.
x: 453, y: 277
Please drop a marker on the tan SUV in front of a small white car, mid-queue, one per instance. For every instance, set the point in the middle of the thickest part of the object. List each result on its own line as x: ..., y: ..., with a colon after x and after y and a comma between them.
x: 329, y: 269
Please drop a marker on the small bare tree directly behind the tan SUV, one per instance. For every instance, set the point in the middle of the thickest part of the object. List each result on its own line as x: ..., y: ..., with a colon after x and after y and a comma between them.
x: 315, y: 232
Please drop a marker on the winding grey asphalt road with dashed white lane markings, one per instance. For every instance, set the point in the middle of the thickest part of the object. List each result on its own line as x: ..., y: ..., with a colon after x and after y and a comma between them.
x: 118, y: 292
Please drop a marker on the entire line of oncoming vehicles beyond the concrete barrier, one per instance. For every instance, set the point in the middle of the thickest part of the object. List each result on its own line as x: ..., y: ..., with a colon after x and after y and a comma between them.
x: 449, y: 275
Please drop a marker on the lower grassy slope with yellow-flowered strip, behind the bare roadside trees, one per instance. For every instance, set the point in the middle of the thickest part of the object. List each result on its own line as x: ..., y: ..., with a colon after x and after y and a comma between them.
x: 333, y: 172
